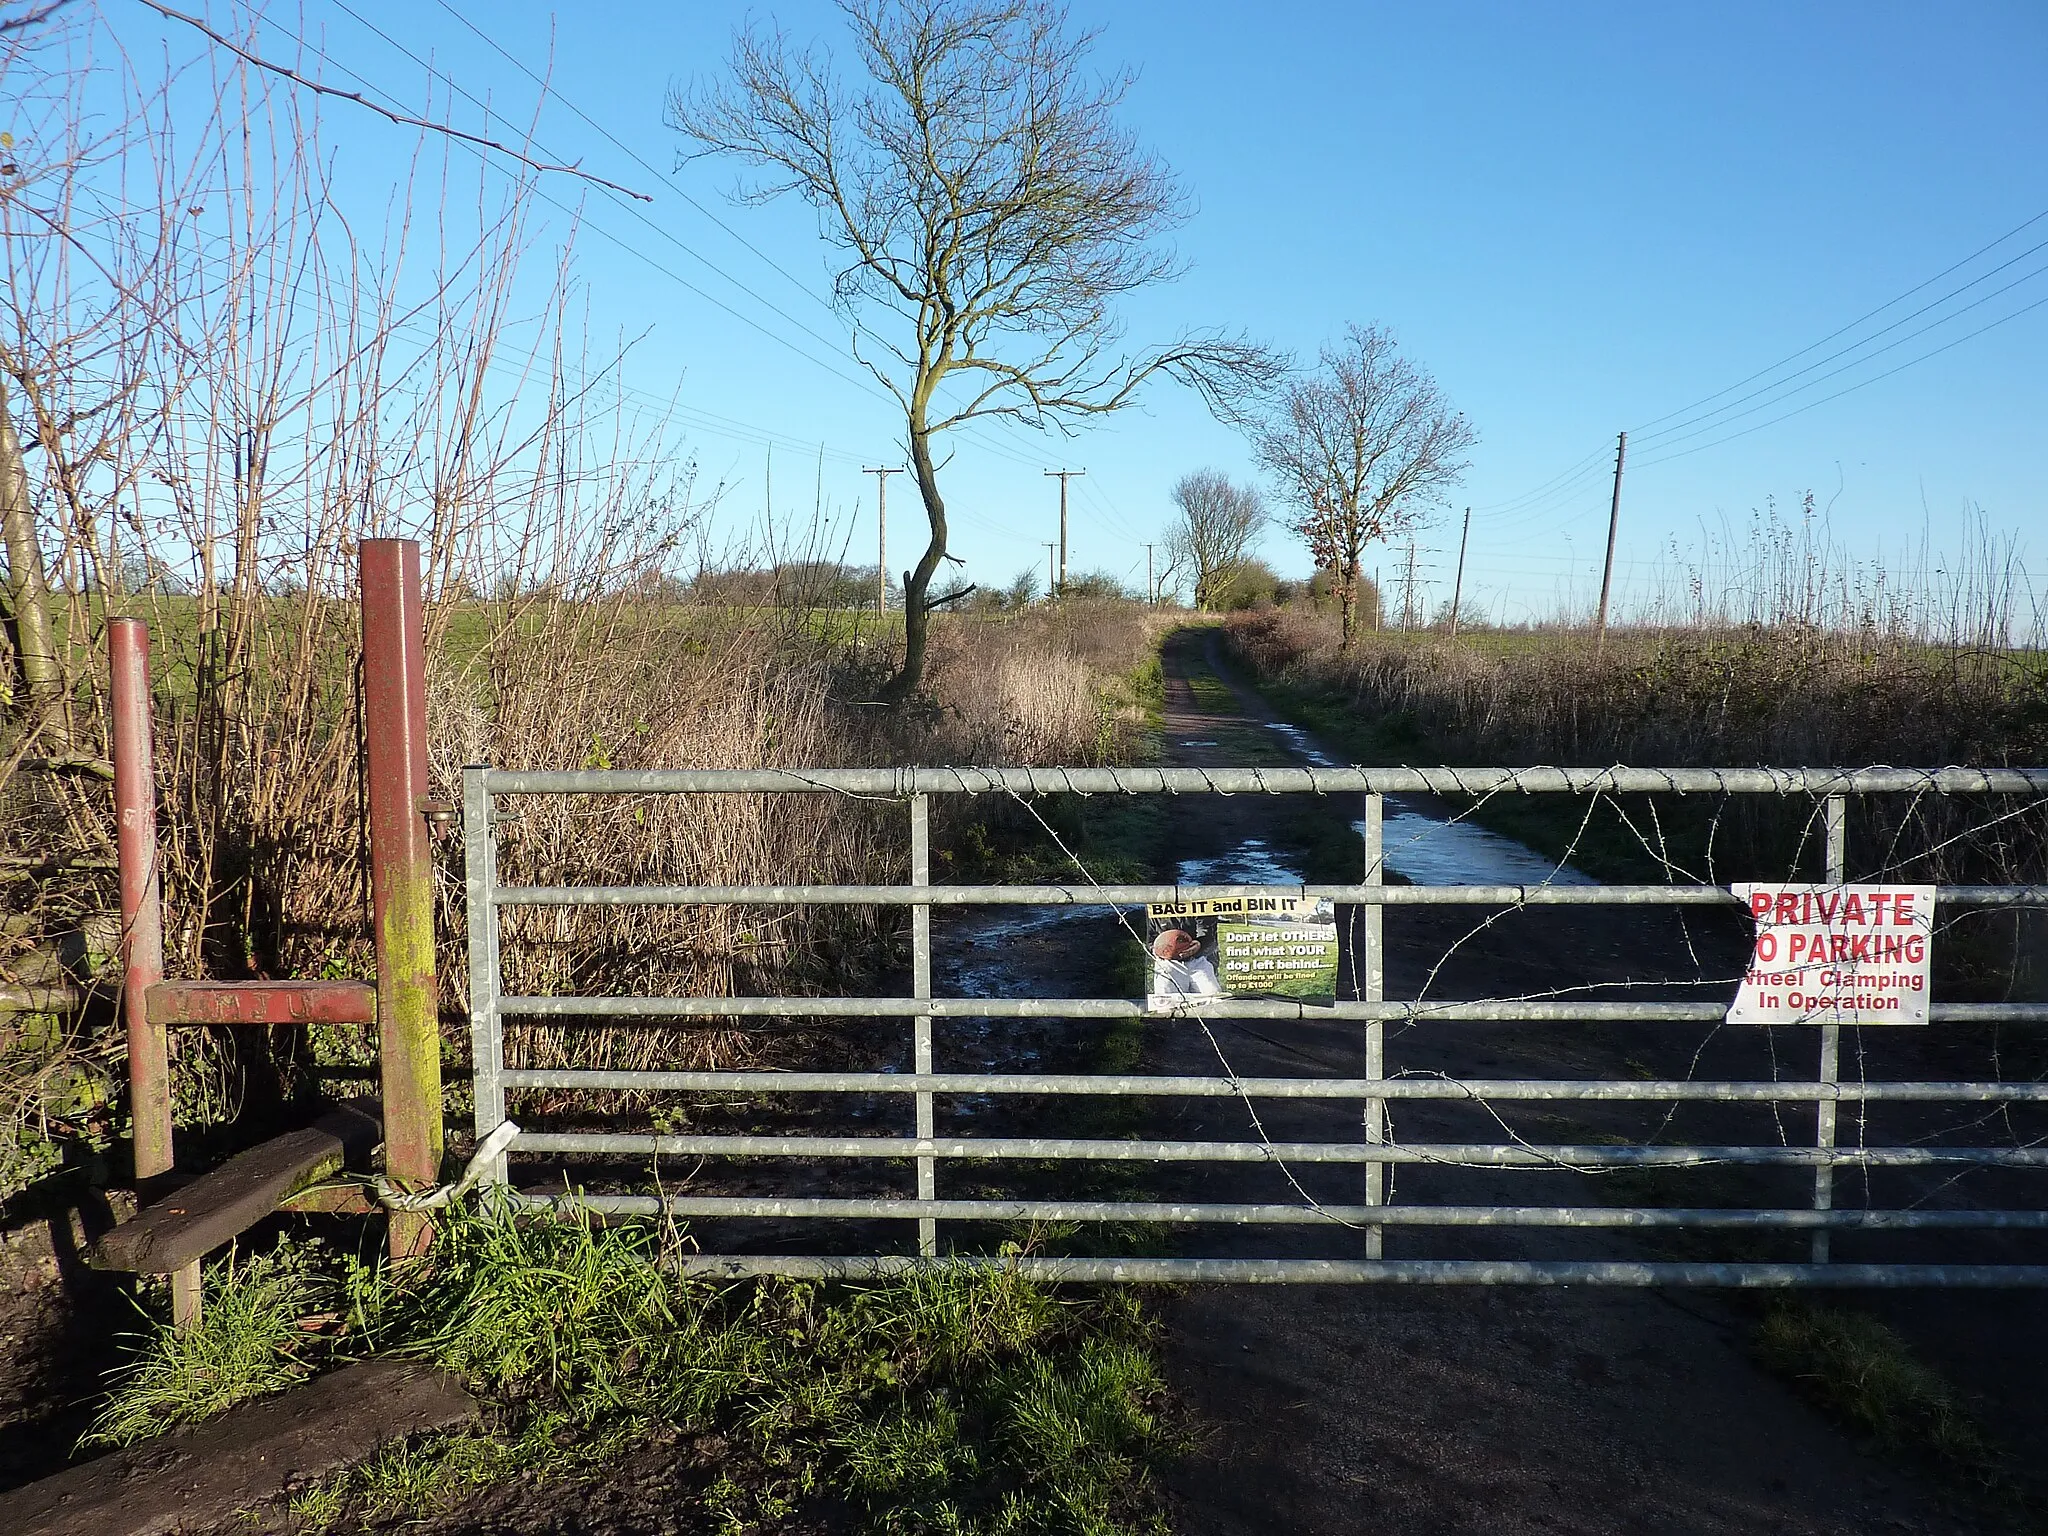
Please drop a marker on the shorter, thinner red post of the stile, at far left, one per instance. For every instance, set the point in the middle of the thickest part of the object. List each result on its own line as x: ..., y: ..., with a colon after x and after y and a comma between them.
x: 142, y: 923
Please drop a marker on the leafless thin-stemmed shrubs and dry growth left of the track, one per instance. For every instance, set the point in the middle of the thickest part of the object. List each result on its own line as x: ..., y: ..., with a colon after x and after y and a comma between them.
x: 222, y: 386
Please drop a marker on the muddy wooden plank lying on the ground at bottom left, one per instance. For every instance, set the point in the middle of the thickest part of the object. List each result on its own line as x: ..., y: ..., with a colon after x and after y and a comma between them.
x: 206, y: 1476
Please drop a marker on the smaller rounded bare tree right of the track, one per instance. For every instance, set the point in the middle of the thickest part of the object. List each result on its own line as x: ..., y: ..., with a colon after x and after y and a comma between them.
x: 1361, y: 450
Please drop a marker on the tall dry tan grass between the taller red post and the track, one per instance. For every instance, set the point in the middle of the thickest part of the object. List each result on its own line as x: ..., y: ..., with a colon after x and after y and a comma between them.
x: 671, y: 689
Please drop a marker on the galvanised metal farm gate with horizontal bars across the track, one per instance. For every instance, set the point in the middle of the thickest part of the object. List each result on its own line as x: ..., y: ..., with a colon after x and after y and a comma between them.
x: 1375, y: 1152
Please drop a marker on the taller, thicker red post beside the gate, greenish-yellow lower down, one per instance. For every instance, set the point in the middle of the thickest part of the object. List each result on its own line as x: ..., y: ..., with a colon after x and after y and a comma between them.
x: 402, y: 873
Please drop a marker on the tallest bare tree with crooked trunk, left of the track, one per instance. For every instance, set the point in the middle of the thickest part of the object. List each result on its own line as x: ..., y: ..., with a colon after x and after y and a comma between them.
x: 988, y: 210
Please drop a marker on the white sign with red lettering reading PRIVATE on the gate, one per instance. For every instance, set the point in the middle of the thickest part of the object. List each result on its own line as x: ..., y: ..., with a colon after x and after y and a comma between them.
x: 1838, y: 955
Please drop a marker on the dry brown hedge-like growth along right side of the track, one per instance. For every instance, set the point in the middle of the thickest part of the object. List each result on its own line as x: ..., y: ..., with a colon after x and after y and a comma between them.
x: 1789, y: 695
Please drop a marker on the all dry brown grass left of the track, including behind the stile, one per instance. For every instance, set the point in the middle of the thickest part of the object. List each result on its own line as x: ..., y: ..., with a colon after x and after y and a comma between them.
x: 615, y: 683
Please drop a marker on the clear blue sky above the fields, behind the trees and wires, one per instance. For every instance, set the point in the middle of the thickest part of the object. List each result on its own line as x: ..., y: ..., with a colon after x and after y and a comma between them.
x: 1580, y: 218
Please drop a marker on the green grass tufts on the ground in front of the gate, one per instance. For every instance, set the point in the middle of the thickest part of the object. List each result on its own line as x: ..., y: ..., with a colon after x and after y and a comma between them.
x: 939, y: 1402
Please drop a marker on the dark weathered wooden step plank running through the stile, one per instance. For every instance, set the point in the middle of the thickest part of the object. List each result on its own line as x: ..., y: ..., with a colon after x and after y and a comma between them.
x: 222, y: 1205
